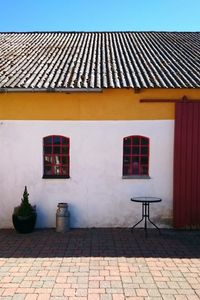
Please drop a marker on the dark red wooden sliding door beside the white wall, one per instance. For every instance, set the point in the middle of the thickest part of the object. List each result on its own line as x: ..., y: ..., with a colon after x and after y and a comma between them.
x: 187, y: 166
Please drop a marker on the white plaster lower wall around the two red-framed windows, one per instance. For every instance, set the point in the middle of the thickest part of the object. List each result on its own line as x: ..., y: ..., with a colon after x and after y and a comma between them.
x: 96, y: 193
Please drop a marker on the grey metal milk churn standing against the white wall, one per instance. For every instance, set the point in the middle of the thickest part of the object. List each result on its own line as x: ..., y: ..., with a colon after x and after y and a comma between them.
x: 62, y: 217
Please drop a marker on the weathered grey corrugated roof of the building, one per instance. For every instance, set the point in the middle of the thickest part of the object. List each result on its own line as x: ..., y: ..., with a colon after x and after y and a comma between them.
x: 100, y: 60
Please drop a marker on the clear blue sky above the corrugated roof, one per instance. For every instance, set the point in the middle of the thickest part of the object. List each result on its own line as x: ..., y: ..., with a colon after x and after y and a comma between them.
x: 100, y: 15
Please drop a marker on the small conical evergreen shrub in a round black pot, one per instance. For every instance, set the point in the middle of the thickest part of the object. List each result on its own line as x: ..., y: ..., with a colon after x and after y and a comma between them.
x: 24, y: 215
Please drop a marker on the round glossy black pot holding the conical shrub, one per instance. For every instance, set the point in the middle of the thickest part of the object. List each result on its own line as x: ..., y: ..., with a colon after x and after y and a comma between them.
x: 24, y: 224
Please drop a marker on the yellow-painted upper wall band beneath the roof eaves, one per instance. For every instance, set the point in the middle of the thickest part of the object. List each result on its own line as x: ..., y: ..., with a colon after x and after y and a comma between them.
x: 111, y: 104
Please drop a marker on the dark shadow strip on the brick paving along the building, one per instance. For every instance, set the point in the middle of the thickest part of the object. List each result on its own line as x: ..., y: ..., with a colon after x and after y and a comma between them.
x: 100, y: 242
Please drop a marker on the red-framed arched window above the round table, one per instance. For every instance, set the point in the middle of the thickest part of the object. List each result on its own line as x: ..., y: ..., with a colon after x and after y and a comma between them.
x: 136, y: 157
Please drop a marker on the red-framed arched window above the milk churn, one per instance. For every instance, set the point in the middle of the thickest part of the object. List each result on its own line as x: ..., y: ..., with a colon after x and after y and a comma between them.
x: 56, y: 156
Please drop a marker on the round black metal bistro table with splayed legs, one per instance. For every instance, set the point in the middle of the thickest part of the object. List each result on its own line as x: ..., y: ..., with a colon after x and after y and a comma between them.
x: 145, y: 211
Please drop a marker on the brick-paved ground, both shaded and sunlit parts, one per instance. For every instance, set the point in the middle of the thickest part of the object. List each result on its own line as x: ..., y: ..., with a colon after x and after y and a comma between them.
x: 100, y: 264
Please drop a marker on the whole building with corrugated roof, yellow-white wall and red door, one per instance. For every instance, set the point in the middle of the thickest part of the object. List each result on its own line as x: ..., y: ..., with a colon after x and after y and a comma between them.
x: 93, y: 118
